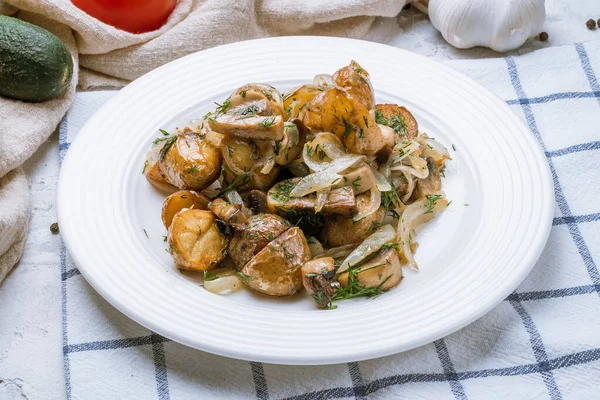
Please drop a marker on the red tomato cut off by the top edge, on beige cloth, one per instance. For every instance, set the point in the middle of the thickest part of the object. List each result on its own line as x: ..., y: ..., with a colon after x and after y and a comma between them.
x: 135, y: 16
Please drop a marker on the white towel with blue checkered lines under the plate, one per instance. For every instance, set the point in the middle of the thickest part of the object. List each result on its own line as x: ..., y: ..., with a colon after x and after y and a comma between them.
x: 542, y: 342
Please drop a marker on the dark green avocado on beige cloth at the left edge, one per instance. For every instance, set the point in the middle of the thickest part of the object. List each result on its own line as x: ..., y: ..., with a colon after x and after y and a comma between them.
x: 35, y: 65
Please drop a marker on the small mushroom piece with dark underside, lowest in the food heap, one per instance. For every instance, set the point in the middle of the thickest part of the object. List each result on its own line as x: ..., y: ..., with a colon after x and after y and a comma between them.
x: 316, y: 279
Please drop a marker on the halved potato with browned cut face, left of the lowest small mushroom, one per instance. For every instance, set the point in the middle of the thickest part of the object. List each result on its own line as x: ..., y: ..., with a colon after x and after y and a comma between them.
x: 275, y: 270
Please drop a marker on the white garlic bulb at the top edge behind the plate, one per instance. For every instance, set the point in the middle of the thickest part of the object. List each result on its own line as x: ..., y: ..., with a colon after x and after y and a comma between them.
x: 501, y: 25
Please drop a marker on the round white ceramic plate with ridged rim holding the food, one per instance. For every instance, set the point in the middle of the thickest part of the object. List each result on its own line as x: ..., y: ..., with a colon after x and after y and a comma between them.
x: 471, y: 256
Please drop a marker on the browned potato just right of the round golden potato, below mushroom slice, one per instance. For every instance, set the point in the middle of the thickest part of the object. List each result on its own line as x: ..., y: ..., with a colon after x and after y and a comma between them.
x: 242, y: 158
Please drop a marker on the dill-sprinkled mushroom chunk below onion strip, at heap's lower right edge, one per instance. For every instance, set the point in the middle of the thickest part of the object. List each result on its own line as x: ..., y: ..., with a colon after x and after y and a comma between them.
x: 384, y: 270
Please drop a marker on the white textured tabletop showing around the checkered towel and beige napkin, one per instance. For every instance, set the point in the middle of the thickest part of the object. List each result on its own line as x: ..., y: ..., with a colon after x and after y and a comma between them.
x: 31, y: 359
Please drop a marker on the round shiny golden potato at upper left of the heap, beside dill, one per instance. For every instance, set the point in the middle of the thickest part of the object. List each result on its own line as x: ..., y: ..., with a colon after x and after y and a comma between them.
x: 192, y: 162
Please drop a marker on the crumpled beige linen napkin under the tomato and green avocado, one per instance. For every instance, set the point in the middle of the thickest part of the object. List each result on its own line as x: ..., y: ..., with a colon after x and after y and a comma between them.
x: 109, y: 57
